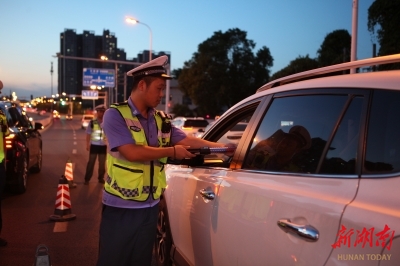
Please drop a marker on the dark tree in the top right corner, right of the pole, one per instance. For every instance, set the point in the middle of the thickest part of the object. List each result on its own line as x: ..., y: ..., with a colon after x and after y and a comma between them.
x: 384, y: 16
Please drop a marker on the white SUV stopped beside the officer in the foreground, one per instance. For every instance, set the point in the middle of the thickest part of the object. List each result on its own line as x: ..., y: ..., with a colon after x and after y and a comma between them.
x: 314, y: 179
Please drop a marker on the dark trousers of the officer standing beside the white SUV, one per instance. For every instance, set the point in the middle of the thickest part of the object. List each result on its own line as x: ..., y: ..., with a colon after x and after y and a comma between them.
x: 127, y: 236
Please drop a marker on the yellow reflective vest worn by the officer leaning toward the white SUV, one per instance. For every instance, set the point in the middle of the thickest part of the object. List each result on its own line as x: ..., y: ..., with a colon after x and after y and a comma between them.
x: 137, y: 180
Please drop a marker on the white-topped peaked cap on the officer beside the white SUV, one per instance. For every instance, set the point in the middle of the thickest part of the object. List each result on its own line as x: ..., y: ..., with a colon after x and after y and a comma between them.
x: 154, y: 68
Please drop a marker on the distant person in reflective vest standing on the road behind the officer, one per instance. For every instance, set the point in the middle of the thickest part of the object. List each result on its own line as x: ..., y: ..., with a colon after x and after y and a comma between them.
x: 96, y: 144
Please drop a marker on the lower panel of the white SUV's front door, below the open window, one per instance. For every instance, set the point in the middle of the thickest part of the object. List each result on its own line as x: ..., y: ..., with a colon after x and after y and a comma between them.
x: 190, y: 196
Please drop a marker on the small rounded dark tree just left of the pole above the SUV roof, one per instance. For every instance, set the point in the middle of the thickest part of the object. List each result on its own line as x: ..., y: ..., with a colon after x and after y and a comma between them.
x: 335, y: 48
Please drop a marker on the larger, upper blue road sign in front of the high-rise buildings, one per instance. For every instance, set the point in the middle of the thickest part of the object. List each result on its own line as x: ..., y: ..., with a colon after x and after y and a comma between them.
x: 98, y: 77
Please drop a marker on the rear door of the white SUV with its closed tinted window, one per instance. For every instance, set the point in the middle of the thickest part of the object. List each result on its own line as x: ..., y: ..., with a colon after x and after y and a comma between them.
x: 295, y: 174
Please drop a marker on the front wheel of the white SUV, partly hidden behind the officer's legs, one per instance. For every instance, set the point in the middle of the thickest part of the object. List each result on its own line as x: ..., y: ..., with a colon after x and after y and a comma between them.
x: 163, y: 242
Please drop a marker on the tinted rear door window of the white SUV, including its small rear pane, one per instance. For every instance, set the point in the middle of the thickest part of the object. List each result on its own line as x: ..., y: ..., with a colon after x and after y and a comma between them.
x: 295, y: 130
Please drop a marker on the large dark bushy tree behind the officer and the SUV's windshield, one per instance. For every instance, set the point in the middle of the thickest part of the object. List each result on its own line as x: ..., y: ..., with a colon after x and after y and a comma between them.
x: 224, y: 71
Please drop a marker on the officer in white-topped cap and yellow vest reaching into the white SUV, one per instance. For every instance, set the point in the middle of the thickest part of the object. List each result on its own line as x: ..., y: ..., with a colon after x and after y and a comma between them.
x: 140, y: 139
